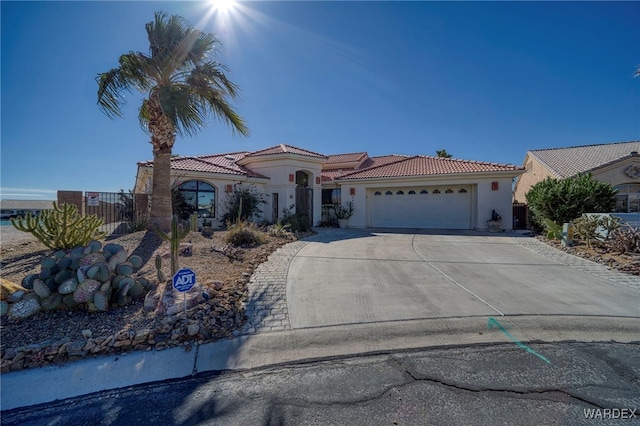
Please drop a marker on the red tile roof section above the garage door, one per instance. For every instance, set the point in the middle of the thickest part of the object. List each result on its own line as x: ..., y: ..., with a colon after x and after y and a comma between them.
x: 423, y: 165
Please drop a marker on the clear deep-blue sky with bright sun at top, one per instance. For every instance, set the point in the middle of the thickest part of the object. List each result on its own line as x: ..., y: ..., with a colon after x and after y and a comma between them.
x: 485, y: 81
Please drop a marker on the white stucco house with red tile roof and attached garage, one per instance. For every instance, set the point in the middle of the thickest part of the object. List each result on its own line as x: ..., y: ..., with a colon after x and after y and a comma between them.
x: 389, y: 191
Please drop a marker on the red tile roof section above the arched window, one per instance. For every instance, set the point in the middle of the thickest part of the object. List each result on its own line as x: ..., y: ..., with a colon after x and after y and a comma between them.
x: 217, y: 163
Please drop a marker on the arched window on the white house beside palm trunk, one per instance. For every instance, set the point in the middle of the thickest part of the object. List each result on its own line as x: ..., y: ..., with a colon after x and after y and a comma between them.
x: 195, y: 196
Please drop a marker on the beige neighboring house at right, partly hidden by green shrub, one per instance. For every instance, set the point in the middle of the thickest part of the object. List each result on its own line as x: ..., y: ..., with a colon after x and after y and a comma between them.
x: 614, y: 163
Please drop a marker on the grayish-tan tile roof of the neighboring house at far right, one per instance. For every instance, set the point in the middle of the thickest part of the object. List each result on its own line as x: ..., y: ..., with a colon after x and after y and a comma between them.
x: 566, y: 162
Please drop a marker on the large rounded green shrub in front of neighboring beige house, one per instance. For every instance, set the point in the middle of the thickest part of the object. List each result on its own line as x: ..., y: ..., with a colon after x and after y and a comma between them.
x: 566, y: 199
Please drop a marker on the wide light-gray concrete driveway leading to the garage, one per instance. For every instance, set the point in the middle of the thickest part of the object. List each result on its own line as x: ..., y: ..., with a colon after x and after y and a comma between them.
x: 367, y: 276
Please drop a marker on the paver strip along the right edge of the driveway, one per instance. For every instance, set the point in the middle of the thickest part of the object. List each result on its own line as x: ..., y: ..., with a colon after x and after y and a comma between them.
x: 593, y: 268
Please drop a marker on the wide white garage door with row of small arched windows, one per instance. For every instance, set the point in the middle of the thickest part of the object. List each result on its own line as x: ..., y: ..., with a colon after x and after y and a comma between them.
x: 438, y: 207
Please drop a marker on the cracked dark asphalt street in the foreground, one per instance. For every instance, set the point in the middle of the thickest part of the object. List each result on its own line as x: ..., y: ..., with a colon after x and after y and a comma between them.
x: 583, y: 384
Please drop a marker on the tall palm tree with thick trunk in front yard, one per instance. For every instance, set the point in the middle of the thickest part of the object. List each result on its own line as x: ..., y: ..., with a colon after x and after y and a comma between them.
x: 183, y: 87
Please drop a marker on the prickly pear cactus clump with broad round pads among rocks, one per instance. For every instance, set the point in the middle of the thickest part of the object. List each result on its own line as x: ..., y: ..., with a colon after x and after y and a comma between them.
x: 91, y: 277
